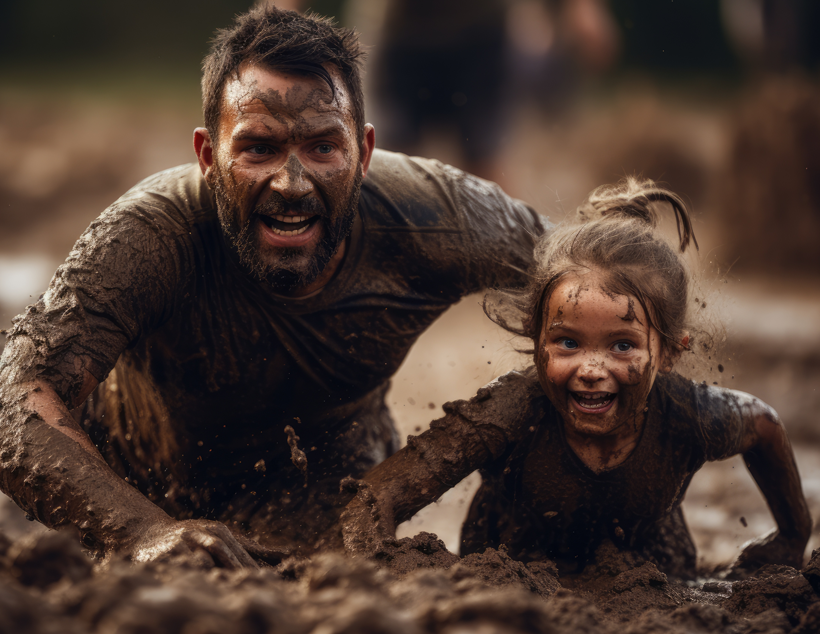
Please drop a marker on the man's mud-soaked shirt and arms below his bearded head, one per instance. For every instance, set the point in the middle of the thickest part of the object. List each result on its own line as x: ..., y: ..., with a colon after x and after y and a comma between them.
x: 212, y: 366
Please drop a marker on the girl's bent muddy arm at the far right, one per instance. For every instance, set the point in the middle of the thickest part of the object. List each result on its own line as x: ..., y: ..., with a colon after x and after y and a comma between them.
x: 769, y: 458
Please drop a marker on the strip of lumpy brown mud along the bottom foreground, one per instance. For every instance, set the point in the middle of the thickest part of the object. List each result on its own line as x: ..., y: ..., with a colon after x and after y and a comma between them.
x: 47, y: 584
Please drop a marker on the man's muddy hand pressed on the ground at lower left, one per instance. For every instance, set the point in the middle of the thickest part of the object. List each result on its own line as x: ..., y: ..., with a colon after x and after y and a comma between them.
x: 203, y: 542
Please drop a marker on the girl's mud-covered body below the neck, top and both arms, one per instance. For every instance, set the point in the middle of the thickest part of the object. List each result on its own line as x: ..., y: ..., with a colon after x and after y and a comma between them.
x: 541, y: 501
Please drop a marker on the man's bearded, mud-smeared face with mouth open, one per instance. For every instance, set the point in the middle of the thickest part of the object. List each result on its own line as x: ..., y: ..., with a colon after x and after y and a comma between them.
x: 286, y: 173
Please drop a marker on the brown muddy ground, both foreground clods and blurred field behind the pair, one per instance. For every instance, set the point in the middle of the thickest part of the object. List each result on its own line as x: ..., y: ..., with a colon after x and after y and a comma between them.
x: 60, y: 168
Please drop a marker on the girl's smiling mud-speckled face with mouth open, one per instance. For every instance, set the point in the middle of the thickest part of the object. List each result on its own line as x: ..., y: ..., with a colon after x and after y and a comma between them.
x: 597, y: 358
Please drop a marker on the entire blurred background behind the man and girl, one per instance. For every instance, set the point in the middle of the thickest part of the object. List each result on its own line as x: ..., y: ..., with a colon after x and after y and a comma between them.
x: 719, y: 99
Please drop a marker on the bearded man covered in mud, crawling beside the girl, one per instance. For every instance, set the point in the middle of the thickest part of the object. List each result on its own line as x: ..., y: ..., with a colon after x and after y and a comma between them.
x: 216, y: 349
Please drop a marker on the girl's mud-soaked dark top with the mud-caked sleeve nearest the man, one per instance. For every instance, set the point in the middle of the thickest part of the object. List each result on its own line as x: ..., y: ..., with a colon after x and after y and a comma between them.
x: 539, y: 499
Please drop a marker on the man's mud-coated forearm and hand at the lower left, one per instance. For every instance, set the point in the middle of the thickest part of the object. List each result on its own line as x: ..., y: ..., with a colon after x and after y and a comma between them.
x: 52, y: 470
